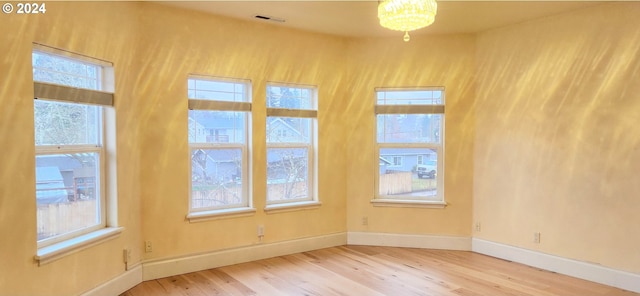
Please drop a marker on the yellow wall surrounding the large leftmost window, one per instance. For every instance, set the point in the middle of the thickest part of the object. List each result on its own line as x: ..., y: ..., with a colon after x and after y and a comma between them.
x: 109, y: 37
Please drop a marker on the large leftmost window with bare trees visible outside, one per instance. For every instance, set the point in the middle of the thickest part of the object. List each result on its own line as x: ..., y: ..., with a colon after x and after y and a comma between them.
x: 69, y: 137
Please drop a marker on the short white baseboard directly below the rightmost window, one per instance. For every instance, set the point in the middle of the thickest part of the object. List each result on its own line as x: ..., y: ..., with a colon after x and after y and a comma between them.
x: 410, y: 241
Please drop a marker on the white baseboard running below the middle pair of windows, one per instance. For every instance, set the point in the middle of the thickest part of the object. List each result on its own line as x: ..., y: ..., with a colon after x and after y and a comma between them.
x: 174, y: 266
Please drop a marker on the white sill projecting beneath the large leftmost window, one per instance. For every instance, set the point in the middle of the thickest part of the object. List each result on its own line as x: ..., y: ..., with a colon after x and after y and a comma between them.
x: 56, y: 251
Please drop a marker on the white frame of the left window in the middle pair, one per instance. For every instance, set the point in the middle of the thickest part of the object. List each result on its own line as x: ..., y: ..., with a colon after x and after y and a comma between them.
x: 244, y: 105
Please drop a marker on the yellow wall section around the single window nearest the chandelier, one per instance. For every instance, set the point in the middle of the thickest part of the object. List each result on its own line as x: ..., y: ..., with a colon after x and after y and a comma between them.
x: 447, y: 61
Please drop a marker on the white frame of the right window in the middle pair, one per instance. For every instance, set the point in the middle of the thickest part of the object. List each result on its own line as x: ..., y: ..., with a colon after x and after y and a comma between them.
x: 311, y: 200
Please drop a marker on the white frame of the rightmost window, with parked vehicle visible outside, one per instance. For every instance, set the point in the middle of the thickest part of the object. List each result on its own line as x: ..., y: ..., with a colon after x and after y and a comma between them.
x: 411, y: 108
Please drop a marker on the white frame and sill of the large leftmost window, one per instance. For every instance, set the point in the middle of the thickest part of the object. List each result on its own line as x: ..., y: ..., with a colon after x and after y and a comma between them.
x: 51, y: 249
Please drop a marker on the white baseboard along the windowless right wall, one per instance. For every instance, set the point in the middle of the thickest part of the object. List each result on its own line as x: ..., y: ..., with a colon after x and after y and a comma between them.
x: 587, y: 271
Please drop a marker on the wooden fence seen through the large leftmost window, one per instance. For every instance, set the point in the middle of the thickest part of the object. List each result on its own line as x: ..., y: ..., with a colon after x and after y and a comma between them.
x: 59, y: 218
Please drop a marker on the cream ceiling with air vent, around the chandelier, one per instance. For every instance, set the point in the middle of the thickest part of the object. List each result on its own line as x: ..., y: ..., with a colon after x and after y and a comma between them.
x: 359, y: 18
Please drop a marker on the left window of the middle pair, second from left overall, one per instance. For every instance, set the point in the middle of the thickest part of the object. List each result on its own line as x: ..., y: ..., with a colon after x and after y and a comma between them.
x: 218, y: 138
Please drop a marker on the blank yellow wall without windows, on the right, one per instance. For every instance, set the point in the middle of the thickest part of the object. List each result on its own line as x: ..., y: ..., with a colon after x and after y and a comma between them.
x: 556, y: 147
